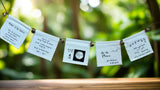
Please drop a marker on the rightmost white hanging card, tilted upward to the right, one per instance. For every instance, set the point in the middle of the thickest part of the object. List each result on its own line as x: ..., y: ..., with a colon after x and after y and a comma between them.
x: 137, y: 46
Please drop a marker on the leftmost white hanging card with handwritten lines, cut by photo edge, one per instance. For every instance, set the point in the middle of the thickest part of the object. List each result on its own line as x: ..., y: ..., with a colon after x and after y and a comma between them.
x: 14, y: 31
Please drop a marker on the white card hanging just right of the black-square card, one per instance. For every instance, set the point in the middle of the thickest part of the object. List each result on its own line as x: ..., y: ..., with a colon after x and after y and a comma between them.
x: 108, y: 53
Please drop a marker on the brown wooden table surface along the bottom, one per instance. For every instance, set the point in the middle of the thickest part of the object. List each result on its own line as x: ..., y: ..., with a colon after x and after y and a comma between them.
x: 82, y: 84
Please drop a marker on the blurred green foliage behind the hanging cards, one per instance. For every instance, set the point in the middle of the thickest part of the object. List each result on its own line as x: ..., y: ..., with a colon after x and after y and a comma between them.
x: 111, y: 20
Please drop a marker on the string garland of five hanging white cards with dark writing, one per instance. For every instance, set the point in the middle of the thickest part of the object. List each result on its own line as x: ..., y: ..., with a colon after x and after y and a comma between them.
x: 44, y: 45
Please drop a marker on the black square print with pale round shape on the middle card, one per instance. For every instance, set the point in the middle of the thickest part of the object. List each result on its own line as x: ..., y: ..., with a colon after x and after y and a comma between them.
x: 79, y: 55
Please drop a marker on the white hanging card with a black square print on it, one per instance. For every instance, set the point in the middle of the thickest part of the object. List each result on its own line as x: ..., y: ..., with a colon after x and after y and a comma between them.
x: 76, y: 51
